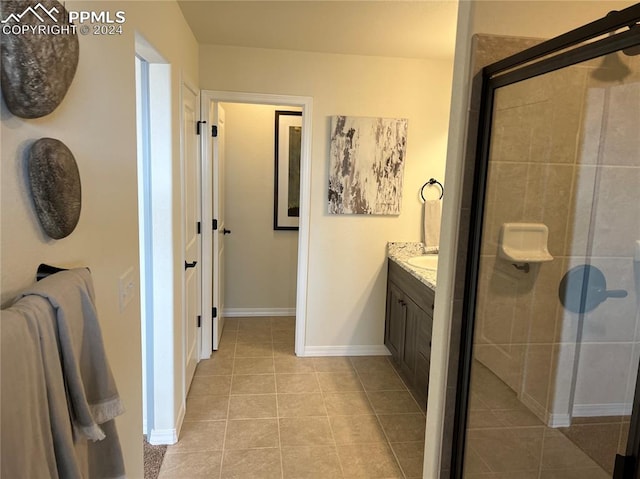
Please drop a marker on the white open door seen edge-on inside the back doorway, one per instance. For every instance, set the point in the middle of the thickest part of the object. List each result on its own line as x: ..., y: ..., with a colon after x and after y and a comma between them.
x: 217, y: 121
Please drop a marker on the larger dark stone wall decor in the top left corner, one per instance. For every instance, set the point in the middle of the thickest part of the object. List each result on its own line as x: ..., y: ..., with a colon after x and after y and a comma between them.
x: 39, y: 55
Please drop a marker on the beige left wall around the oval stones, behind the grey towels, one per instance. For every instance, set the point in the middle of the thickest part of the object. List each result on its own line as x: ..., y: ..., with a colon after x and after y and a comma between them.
x: 97, y: 122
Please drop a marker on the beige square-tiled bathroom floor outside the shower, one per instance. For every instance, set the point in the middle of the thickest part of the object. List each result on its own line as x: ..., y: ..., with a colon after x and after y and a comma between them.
x: 257, y: 411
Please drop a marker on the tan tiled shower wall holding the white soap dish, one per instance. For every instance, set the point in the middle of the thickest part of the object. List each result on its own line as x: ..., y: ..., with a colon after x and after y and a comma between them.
x: 530, y: 180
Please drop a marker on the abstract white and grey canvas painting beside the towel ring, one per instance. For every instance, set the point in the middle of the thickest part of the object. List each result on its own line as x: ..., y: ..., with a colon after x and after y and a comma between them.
x: 366, y: 165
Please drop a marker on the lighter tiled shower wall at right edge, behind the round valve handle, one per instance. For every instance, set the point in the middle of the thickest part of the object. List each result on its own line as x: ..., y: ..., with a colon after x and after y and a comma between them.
x: 609, y: 170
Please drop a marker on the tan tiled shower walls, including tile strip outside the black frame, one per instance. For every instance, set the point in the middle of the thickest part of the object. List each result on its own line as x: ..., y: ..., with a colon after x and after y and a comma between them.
x: 548, y: 158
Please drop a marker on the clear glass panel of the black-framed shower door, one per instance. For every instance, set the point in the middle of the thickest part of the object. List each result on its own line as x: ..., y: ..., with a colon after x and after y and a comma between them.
x: 556, y: 340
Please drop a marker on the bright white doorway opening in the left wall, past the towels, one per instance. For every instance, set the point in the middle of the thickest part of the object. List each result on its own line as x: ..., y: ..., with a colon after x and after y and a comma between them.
x: 153, y: 107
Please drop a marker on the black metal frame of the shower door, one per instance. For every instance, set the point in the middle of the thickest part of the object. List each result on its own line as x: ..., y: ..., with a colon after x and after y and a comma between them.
x: 575, y: 46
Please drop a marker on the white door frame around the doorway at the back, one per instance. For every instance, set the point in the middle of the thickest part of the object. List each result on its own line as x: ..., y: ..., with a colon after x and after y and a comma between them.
x: 208, y: 97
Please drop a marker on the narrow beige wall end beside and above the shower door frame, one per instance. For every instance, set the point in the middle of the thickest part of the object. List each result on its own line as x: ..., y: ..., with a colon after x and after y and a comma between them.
x: 519, y: 19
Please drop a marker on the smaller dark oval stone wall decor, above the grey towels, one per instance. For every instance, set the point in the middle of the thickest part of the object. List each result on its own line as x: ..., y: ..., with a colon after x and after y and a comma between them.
x: 54, y: 180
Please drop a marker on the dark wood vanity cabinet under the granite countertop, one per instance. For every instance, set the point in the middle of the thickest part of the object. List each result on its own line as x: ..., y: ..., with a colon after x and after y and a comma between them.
x: 408, y: 324
